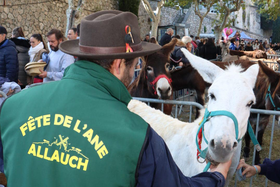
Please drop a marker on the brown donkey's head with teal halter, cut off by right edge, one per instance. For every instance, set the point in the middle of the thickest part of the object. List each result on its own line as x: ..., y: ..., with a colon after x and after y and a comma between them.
x: 272, y: 97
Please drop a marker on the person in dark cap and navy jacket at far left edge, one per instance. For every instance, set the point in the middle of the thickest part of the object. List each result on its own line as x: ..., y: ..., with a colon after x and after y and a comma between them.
x: 8, y: 58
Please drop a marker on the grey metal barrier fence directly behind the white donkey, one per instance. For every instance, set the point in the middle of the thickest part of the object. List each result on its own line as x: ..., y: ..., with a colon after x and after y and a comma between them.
x: 259, y: 112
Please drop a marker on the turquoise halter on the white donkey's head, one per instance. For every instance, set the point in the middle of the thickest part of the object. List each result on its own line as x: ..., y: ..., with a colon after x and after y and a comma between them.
x: 207, y: 116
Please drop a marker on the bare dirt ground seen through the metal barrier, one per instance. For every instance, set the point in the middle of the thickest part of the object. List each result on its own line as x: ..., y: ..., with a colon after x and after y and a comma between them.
x: 257, y: 181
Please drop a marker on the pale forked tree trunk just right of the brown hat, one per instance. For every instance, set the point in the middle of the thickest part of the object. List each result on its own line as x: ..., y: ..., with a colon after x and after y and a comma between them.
x: 154, y: 15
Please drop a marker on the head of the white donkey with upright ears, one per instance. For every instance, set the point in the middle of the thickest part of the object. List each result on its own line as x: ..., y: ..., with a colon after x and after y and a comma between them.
x: 230, y: 99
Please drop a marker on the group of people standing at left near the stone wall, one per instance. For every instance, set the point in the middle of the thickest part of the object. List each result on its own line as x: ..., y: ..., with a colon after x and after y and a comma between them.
x: 17, y: 51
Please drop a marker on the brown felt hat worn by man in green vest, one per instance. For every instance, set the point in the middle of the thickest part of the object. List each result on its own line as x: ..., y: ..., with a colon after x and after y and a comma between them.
x: 102, y: 36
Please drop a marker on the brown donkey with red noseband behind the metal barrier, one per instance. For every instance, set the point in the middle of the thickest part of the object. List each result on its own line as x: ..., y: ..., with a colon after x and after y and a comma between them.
x: 154, y: 80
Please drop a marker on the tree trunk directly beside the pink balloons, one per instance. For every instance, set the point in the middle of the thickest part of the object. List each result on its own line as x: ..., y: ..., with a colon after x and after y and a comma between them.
x: 224, y: 9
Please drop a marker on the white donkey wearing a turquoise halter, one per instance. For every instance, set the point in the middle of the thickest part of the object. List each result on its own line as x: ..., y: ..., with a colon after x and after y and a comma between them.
x: 230, y: 99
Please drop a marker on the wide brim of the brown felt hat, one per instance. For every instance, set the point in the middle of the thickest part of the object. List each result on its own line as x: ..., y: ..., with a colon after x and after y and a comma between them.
x: 72, y: 47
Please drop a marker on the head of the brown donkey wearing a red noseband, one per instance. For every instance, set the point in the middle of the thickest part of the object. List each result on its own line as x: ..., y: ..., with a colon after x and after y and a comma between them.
x: 157, y: 73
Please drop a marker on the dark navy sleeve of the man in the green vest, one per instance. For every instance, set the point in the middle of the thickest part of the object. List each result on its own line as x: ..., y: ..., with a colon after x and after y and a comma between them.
x: 157, y: 168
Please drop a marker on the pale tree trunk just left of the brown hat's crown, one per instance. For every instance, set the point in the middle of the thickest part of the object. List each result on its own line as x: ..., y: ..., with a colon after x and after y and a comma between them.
x: 71, y: 13
